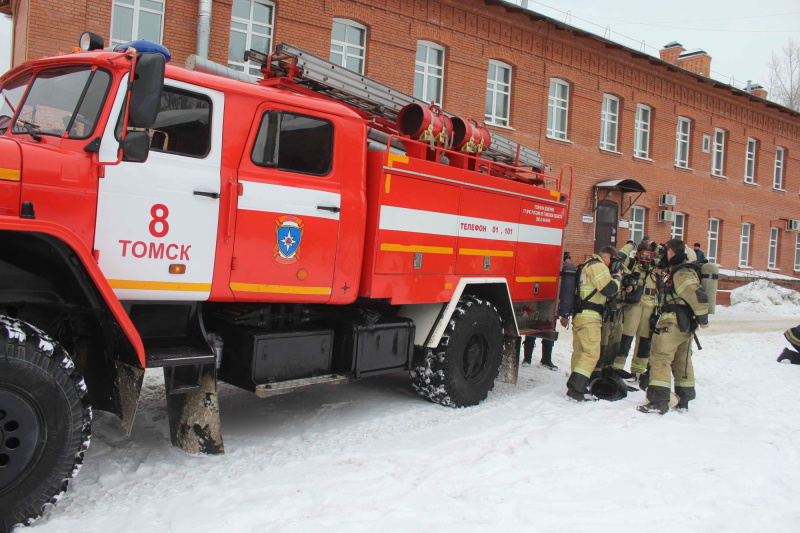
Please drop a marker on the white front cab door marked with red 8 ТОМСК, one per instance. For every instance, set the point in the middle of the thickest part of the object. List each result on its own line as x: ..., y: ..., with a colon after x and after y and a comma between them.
x: 156, y: 229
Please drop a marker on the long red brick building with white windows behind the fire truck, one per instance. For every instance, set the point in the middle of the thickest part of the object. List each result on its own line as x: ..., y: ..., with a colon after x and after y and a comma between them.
x: 728, y: 159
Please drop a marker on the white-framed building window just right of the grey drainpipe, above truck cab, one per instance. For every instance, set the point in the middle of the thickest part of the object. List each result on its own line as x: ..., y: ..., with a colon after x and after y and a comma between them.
x: 251, y: 28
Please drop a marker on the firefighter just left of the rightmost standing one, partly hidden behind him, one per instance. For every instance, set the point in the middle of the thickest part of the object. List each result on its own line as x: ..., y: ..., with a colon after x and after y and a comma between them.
x: 639, y: 305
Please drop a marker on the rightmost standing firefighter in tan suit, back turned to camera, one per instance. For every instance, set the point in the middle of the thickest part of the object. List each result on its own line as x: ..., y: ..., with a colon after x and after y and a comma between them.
x: 685, y: 307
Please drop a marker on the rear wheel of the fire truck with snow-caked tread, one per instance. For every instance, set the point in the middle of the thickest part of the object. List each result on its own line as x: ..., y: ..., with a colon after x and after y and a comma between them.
x: 462, y: 370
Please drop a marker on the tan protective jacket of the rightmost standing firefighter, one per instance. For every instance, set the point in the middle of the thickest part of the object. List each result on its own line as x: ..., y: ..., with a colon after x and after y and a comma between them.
x: 684, y: 301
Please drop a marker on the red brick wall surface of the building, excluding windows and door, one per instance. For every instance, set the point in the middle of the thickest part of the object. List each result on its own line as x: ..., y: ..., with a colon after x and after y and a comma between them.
x: 474, y: 31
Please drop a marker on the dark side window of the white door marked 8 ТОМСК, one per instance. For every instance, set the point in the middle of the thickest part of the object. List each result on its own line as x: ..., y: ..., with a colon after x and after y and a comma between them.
x: 183, y: 124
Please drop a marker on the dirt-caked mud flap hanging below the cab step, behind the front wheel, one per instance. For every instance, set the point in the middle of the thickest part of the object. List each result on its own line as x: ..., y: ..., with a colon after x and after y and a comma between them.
x: 194, y: 422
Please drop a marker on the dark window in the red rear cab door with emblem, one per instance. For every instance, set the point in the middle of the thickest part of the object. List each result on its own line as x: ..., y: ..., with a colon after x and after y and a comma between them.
x: 295, y: 143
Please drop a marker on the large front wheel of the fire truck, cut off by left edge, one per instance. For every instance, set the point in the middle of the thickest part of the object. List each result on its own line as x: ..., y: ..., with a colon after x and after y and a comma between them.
x: 45, y: 422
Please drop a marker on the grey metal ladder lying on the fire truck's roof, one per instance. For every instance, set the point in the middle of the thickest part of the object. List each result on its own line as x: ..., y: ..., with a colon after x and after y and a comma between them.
x: 371, y: 97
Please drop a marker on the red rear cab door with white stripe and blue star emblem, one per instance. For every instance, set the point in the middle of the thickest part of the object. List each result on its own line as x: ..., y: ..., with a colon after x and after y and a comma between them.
x: 287, y: 221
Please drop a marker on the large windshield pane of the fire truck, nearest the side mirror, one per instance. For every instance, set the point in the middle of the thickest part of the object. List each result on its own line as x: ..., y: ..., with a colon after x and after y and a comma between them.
x: 63, y: 100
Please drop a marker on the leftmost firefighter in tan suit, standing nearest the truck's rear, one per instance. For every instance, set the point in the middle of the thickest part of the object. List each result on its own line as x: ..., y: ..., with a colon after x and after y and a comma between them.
x: 596, y: 285
